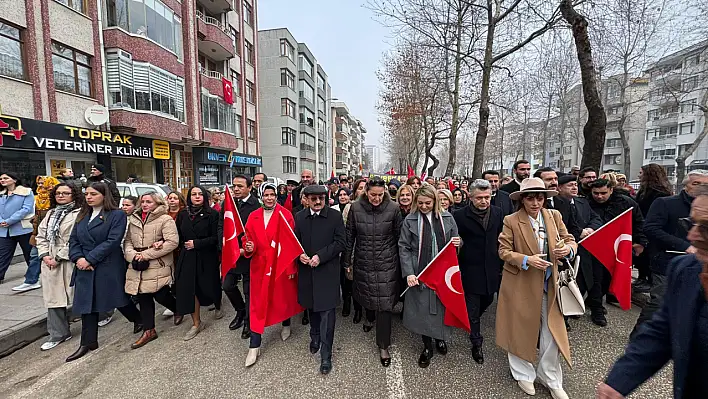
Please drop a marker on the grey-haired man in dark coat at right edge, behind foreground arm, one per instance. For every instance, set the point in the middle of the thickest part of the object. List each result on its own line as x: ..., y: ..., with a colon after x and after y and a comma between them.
x: 668, y: 238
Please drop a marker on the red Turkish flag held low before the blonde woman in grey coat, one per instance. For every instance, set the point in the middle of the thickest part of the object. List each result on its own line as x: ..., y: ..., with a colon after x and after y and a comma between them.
x: 442, y: 275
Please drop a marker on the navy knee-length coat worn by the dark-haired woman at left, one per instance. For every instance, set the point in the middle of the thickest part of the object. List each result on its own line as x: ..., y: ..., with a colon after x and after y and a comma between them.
x: 99, y: 241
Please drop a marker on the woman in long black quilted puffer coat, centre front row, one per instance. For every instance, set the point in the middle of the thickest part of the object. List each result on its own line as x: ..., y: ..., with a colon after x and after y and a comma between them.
x: 373, y: 228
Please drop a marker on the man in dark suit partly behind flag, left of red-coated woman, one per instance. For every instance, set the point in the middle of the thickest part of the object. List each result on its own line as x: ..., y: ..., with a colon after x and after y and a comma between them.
x: 246, y: 203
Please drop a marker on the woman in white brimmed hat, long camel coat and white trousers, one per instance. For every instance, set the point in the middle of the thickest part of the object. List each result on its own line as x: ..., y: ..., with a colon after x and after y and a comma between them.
x: 531, y: 243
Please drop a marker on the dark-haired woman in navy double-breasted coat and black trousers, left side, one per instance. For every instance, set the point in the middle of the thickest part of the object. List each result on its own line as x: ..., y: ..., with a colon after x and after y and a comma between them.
x: 99, y: 276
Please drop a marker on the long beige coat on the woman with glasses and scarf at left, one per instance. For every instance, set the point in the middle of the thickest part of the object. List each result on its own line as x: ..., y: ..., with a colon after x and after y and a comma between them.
x: 56, y: 283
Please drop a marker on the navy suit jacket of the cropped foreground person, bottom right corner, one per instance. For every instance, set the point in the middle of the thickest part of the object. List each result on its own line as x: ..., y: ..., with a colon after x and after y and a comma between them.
x: 667, y: 336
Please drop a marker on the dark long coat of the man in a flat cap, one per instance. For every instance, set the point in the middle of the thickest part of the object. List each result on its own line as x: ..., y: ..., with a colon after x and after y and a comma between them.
x: 324, y: 236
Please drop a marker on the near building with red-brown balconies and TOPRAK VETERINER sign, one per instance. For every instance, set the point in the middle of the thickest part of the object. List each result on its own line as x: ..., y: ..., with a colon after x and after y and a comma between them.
x: 160, y: 89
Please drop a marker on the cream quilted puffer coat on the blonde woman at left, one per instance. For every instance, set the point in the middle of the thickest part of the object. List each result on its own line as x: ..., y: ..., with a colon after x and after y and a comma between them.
x: 159, y: 226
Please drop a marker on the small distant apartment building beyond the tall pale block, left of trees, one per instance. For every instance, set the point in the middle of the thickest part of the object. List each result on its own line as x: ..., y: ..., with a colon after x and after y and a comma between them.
x: 348, y: 133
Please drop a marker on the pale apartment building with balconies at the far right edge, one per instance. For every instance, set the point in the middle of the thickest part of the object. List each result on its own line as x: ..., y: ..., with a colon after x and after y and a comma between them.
x: 677, y: 84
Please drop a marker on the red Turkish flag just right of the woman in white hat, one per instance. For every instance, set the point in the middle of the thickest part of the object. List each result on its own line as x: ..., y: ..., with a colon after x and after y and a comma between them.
x: 611, y: 244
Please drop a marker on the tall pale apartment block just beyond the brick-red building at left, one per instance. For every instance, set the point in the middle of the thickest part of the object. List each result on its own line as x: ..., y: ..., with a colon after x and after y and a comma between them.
x: 294, y: 97
